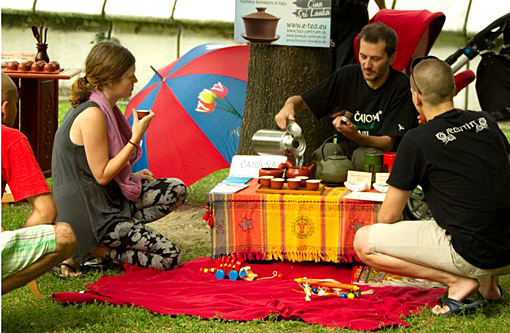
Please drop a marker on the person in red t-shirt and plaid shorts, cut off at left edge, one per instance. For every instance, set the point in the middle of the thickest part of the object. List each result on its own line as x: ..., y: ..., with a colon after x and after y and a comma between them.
x: 41, y: 244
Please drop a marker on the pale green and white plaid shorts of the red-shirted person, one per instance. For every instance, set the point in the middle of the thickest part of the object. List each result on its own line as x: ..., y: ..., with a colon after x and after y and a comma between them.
x: 23, y: 247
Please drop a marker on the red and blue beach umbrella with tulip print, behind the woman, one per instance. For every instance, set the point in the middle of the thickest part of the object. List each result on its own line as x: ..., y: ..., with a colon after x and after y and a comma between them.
x: 198, y: 101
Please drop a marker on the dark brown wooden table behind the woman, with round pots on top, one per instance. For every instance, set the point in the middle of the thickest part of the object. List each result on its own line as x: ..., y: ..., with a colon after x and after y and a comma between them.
x: 38, y: 110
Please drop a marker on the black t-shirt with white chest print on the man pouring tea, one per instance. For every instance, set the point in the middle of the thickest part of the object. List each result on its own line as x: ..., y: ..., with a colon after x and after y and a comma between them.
x: 388, y: 110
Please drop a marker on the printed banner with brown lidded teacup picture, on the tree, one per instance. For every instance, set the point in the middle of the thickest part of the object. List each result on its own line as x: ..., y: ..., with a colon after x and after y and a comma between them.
x: 283, y: 22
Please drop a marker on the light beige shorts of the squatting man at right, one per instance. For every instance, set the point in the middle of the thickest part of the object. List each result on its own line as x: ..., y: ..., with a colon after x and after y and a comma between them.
x: 427, y: 244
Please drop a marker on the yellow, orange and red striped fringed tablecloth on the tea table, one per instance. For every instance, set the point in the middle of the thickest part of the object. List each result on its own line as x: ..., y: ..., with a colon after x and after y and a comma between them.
x: 292, y: 227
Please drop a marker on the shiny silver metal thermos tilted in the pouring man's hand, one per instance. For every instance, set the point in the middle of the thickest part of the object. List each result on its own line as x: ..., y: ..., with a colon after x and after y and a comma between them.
x: 276, y: 142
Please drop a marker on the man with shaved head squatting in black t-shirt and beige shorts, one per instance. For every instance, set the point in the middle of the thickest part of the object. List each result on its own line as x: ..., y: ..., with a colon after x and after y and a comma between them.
x: 461, y: 160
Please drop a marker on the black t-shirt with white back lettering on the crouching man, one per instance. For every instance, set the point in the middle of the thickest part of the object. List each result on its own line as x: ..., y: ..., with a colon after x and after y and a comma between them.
x: 460, y: 158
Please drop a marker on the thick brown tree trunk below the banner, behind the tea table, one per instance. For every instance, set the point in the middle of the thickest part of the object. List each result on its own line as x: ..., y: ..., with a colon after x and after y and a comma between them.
x: 274, y: 74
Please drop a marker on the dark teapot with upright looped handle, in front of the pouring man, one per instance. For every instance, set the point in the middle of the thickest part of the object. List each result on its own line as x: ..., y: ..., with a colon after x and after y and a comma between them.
x: 333, y: 168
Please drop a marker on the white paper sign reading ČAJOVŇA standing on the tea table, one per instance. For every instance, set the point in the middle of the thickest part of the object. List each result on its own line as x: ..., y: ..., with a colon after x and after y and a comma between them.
x: 249, y: 165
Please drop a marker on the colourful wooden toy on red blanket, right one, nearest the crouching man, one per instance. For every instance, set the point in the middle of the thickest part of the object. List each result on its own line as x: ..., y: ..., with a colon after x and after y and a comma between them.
x: 328, y: 287
